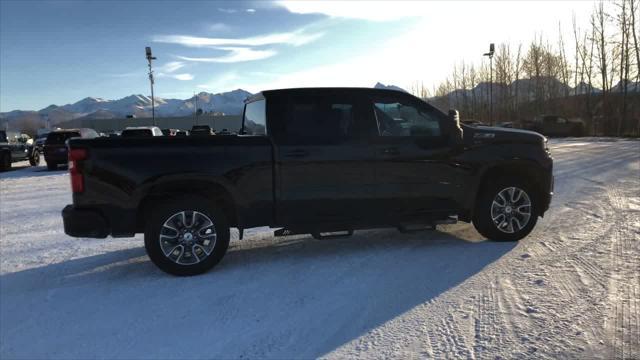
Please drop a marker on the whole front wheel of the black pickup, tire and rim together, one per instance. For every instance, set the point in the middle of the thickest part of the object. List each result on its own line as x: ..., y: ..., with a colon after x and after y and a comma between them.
x: 506, y: 210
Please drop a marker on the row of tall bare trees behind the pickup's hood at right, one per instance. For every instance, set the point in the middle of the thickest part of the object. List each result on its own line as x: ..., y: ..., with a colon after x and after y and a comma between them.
x: 600, y: 84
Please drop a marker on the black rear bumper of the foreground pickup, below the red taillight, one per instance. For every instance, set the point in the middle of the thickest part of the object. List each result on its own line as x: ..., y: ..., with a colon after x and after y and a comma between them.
x: 84, y: 223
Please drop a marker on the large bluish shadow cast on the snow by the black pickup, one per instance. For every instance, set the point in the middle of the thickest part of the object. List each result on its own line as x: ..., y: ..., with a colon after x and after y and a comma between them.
x: 290, y: 297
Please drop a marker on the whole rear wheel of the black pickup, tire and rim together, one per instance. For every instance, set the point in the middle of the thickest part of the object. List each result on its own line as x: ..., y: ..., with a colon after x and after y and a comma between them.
x: 186, y: 236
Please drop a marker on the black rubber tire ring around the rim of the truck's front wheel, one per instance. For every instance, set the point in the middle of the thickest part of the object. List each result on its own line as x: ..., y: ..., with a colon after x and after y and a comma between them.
x: 483, y: 219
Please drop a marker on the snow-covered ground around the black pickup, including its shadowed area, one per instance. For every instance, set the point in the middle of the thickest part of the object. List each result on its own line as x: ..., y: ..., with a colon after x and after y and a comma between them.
x: 569, y: 290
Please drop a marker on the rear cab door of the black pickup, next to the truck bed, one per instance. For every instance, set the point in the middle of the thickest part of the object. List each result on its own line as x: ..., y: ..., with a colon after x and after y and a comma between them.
x: 324, y: 163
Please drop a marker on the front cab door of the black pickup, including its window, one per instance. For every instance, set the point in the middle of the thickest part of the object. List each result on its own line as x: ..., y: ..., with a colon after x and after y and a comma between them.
x: 415, y: 171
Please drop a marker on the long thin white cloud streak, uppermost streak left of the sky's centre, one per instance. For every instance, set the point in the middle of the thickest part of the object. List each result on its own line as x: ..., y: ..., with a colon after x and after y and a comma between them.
x: 295, y: 38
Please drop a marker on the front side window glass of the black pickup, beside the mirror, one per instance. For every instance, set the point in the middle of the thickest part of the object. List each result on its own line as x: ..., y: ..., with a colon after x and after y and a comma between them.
x: 399, y: 117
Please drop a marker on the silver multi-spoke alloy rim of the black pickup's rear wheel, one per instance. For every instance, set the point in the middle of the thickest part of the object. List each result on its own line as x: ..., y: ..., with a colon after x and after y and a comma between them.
x: 187, y: 237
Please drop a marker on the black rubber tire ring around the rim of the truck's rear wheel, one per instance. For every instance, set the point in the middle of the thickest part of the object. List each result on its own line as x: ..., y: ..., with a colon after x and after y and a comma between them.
x: 163, y: 212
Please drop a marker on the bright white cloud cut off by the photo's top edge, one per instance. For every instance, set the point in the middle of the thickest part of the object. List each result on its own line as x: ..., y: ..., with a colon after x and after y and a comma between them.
x: 367, y: 10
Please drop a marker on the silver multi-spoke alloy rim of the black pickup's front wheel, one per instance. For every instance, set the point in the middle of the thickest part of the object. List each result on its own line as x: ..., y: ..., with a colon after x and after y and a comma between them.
x: 511, y: 210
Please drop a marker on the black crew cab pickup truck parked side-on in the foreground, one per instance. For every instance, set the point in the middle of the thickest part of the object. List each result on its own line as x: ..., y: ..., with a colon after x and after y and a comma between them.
x: 324, y: 161
